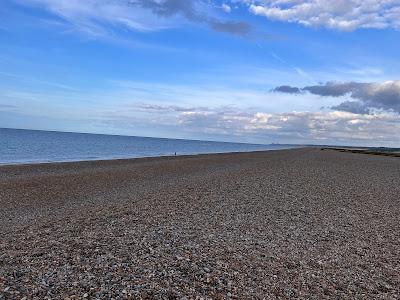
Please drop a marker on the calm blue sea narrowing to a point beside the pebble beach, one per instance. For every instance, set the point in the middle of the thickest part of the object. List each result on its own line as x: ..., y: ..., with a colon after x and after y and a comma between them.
x: 30, y: 146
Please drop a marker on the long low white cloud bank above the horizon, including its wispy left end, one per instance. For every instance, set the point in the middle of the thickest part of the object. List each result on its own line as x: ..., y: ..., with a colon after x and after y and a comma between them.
x: 235, y: 123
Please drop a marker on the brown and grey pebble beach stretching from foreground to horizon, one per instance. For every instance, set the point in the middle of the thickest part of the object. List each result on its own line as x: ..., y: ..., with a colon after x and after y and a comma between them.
x: 303, y: 223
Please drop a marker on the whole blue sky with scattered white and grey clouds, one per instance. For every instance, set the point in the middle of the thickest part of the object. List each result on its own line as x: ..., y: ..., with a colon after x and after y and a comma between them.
x: 258, y: 71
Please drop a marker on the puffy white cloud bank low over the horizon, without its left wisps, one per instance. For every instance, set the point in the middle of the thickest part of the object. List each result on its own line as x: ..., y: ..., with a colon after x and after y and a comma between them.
x: 299, y: 126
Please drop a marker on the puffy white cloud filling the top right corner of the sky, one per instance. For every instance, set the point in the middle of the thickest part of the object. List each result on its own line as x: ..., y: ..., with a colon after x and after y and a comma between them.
x: 335, y: 14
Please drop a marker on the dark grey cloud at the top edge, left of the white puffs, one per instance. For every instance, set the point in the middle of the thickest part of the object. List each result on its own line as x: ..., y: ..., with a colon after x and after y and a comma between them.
x: 190, y: 10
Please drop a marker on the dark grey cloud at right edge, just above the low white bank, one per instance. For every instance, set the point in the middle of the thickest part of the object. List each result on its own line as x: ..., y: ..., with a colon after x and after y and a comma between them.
x: 385, y: 95
